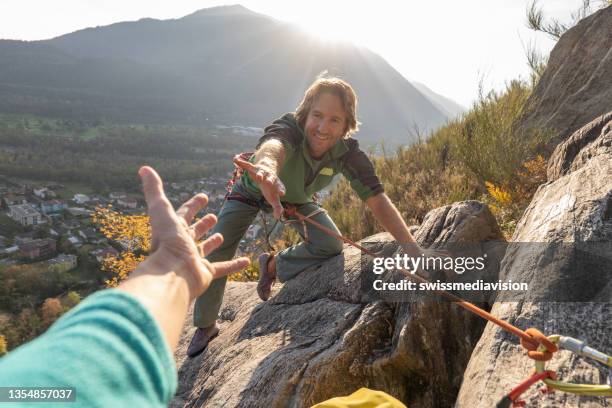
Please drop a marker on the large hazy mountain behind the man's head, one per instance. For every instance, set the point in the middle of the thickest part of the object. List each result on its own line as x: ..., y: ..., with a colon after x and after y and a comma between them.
x: 221, y: 66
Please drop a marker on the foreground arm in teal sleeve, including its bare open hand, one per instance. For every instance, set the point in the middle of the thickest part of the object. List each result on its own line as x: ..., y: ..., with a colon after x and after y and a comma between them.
x: 115, y: 348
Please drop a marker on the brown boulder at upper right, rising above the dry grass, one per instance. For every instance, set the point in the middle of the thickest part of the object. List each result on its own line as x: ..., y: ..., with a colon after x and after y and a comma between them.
x: 577, y: 84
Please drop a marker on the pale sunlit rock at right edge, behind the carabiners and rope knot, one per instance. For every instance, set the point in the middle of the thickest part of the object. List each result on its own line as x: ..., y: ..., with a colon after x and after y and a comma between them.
x: 575, y: 206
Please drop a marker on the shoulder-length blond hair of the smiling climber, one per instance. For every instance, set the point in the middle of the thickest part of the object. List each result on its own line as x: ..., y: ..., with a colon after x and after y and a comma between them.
x: 334, y: 86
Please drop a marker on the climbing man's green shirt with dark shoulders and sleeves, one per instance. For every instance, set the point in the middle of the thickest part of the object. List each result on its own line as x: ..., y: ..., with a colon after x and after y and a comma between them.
x: 303, y: 176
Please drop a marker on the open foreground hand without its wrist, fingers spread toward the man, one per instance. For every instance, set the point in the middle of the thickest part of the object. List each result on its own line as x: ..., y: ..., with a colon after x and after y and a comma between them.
x: 174, y: 244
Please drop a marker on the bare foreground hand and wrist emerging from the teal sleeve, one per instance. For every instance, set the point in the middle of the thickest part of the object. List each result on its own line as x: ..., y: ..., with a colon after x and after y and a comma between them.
x: 176, y: 272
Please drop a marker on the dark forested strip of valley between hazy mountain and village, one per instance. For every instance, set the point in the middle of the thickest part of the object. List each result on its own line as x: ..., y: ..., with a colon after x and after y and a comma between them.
x: 107, y: 156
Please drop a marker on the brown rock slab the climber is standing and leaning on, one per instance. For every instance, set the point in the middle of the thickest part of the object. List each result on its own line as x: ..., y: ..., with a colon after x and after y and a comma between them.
x: 319, y: 337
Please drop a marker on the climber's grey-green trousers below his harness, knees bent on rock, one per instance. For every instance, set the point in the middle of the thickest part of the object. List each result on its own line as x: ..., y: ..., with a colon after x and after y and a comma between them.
x: 233, y: 220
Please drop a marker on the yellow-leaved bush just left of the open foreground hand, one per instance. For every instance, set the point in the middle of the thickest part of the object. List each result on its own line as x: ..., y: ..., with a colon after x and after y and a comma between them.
x: 134, y: 231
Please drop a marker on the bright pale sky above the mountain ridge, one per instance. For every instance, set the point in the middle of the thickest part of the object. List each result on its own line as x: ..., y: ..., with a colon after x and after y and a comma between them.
x: 450, y: 46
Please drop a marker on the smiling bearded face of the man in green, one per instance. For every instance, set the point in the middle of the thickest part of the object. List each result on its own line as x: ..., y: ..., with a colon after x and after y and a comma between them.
x: 325, y: 124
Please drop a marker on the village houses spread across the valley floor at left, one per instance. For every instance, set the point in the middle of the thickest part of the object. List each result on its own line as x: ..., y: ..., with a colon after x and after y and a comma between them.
x: 48, y: 225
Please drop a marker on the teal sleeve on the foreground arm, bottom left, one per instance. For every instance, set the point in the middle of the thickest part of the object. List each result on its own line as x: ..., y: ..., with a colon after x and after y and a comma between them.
x: 109, y: 348
